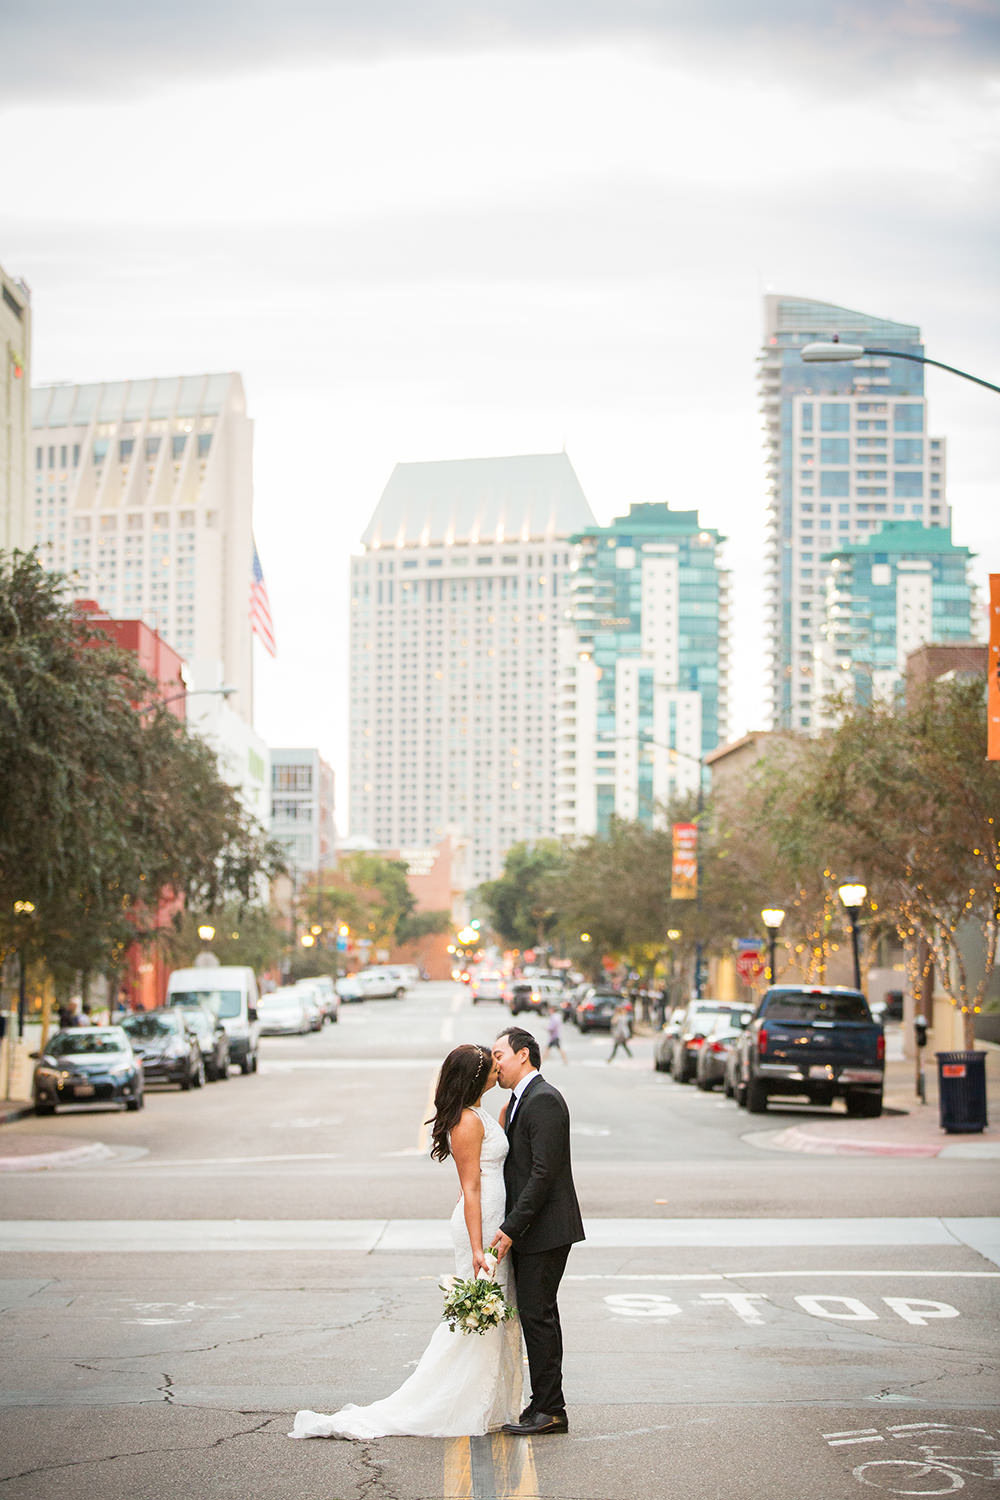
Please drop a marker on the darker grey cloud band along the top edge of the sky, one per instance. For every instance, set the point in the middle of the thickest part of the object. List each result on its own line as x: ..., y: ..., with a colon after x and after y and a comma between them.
x: 67, y: 49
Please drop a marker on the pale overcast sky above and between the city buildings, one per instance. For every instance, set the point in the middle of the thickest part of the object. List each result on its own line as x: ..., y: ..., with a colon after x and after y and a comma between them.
x: 464, y: 230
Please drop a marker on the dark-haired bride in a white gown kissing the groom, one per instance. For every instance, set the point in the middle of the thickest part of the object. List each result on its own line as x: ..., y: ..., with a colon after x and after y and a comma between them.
x: 466, y: 1384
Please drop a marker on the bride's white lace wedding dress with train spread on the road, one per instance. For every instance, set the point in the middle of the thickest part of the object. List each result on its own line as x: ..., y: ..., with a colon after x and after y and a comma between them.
x: 466, y: 1384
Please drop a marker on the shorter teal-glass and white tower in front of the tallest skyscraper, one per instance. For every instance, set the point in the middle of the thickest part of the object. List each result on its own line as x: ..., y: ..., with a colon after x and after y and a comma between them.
x: 905, y: 587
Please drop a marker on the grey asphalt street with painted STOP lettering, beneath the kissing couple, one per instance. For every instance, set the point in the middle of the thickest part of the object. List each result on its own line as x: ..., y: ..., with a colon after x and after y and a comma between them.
x: 741, y: 1322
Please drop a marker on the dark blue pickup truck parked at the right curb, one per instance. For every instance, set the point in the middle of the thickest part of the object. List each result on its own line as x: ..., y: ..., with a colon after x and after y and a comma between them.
x: 813, y: 1042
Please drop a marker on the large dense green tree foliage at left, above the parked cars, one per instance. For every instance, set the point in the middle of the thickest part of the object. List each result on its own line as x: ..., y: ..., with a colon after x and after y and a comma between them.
x: 106, y: 800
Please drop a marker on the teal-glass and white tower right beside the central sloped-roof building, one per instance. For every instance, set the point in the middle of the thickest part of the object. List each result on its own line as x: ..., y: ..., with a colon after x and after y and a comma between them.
x: 645, y: 682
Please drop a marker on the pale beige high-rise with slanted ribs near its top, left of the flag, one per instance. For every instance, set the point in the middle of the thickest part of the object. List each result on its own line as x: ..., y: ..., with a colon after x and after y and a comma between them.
x: 145, y: 491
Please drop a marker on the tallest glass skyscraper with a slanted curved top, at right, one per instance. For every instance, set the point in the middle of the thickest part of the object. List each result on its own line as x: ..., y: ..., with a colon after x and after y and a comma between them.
x: 848, y: 449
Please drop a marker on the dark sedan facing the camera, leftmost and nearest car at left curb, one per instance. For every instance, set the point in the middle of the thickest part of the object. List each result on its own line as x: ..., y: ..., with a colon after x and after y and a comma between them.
x: 88, y: 1066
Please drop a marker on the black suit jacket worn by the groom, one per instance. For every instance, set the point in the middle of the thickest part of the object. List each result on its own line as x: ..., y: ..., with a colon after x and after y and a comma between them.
x: 542, y: 1207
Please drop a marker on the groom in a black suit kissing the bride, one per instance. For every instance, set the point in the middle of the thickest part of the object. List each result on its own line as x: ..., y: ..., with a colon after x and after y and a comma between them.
x: 543, y: 1222
